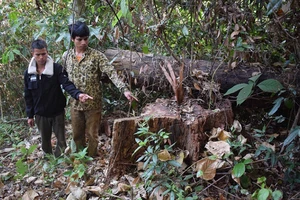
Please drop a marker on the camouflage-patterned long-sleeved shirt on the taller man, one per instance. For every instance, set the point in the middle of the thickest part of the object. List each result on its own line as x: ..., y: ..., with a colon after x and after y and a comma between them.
x: 86, y: 74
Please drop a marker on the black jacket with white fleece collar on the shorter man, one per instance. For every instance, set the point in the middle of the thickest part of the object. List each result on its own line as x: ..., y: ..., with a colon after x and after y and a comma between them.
x: 43, y: 93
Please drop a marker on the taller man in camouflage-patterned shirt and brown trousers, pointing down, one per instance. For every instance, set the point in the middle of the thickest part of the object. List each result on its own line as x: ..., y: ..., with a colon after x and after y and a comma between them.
x: 85, y: 67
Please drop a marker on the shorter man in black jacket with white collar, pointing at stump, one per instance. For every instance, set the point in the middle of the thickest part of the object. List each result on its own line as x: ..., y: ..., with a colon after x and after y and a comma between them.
x: 44, y: 97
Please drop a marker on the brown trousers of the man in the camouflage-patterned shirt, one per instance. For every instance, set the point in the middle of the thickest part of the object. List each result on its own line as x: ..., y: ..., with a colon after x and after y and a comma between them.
x: 86, y: 123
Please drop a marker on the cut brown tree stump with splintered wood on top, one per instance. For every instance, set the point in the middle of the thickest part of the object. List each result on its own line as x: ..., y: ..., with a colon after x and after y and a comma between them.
x: 188, y: 124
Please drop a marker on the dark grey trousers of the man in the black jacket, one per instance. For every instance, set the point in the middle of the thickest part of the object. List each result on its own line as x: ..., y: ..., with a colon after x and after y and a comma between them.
x: 48, y: 124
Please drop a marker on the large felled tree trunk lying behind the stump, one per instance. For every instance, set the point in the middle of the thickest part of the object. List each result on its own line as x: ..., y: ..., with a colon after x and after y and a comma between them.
x: 144, y: 71
